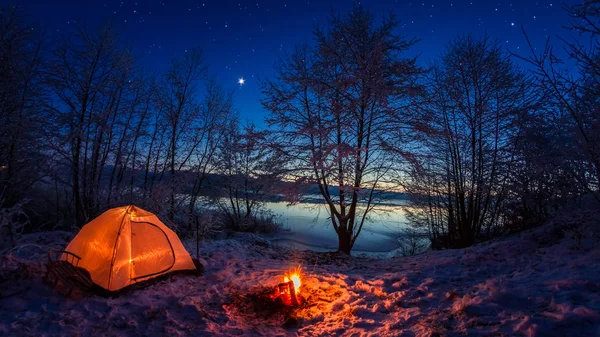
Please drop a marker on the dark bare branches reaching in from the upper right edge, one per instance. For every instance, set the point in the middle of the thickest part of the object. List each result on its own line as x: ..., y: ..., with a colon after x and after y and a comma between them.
x: 577, y: 93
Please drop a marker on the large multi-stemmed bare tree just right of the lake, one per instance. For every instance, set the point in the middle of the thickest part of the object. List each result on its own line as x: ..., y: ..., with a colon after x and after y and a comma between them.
x: 457, y: 179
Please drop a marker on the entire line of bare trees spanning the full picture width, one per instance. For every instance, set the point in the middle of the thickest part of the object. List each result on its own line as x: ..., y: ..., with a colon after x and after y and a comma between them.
x: 482, y: 145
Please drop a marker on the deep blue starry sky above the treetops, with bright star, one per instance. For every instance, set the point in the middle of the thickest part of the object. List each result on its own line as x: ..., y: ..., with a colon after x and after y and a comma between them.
x: 243, y: 39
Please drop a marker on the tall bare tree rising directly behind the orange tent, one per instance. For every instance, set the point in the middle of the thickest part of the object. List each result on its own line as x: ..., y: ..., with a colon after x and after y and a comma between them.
x: 87, y: 76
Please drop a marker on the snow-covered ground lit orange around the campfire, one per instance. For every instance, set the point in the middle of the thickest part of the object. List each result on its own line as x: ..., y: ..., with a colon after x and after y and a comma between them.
x: 544, y: 282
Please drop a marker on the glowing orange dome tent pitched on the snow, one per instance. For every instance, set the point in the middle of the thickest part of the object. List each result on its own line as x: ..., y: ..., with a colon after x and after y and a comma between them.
x: 127, y: 245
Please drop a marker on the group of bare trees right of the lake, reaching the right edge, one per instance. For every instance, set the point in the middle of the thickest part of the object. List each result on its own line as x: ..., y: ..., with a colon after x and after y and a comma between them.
x: 502, y: 148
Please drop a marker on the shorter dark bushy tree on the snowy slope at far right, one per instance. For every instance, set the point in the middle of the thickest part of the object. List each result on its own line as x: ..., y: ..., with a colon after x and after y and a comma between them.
x: 542, y: 177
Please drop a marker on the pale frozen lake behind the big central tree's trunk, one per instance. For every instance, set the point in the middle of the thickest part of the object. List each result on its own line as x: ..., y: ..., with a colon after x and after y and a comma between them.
x: 307, y: 226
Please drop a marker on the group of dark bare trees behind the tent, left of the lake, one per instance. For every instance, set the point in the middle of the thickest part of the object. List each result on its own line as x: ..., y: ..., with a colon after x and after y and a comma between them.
x: 84, y: 128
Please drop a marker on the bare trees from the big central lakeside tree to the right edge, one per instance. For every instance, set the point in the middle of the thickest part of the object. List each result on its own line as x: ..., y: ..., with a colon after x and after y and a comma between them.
x: 483, y: 142
